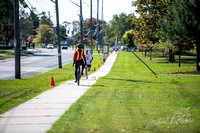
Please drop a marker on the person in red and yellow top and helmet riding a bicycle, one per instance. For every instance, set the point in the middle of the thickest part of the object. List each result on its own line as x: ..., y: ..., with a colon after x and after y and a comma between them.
x: 78, y: 59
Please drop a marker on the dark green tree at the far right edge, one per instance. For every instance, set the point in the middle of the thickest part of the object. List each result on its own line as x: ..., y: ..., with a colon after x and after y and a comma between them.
x: 181, y: 25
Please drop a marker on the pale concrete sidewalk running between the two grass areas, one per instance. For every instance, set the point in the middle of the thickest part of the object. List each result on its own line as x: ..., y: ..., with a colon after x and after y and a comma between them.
x: 38, y: 114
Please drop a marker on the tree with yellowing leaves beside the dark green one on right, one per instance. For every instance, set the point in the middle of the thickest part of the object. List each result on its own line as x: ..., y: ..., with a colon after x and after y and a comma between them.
x: 146, y: 26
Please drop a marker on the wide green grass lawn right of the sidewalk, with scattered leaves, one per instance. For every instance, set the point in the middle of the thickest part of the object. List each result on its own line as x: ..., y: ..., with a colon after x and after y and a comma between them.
x: 131, y: 99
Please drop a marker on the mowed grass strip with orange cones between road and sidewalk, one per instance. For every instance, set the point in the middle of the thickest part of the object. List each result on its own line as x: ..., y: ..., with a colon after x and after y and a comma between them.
x: 16, y: 91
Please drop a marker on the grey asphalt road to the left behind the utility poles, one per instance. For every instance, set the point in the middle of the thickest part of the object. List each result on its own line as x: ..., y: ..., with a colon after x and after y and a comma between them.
x: 41, y: 61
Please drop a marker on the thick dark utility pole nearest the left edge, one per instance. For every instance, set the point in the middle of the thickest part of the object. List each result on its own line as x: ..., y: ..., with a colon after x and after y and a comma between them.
x: 17, y: 41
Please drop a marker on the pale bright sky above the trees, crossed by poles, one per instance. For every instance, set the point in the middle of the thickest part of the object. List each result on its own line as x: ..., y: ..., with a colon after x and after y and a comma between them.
x: 70, y: 12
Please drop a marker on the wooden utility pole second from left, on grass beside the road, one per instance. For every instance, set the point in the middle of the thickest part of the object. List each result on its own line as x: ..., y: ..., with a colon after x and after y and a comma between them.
x: 58, y: 35
